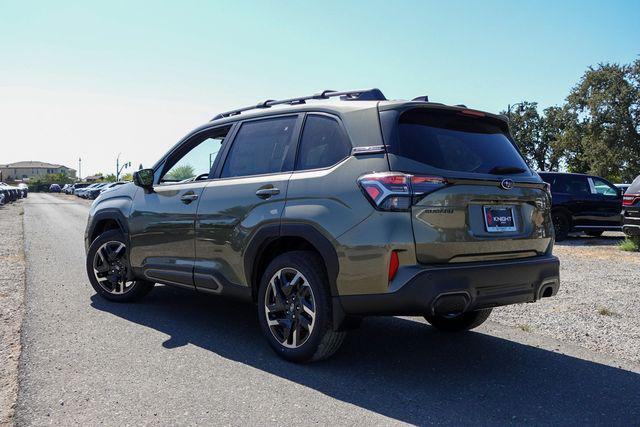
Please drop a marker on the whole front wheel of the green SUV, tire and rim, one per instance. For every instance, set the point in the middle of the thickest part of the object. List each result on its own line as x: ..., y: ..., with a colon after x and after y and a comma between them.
x: 109, y: 270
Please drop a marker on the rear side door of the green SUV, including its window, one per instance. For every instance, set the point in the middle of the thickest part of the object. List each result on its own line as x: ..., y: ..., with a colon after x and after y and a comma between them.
x: 249, y: 192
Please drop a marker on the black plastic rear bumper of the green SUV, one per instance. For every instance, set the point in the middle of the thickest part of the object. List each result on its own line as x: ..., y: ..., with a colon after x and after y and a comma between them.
x: 463, y: 287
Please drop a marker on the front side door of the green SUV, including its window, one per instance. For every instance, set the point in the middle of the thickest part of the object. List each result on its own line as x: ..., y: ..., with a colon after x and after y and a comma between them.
x: 162, y: 221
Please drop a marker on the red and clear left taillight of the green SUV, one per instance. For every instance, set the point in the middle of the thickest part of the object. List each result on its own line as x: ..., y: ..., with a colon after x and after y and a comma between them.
x: 393, y: 191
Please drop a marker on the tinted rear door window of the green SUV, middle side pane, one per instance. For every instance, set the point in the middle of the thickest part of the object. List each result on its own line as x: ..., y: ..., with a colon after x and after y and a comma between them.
x: 261, y: 147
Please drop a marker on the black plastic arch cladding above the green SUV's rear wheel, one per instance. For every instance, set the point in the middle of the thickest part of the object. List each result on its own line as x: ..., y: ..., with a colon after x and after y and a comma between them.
x: 272, y: 240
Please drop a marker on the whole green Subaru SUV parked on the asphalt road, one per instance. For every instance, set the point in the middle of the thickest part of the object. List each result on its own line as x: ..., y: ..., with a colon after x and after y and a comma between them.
x: 327, y: 208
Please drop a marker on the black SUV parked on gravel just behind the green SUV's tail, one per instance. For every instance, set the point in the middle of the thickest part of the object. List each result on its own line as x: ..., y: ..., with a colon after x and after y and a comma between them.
x: 583, y: 203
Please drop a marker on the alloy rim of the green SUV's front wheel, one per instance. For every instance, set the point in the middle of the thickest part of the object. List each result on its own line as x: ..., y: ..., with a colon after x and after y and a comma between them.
x: 110, y: 268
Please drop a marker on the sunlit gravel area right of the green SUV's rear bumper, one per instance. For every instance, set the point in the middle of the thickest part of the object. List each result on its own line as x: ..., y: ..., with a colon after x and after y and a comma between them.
x: 598, y: 303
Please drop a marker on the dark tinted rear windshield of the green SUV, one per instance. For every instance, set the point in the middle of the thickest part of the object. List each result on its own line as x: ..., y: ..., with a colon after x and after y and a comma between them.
x: 454, y: 142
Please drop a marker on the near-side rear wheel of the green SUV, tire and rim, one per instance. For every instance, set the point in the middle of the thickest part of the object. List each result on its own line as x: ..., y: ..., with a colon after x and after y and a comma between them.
x: 294, y: 308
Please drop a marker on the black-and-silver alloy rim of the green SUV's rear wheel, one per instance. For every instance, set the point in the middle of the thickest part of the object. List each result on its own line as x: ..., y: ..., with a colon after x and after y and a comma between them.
x: 290, y: 307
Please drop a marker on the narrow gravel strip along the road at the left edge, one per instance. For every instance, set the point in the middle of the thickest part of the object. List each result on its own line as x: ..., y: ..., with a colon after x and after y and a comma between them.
x: 12, y: 285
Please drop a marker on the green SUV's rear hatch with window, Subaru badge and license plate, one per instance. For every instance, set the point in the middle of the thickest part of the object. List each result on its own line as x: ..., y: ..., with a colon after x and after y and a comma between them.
x: 473, y: 196
